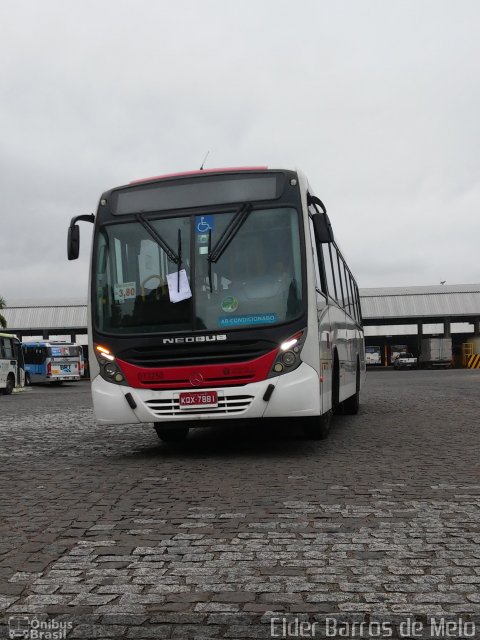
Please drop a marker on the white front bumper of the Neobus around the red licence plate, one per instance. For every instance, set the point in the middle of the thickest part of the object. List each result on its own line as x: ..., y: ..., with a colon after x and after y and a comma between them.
x: 295, y: 394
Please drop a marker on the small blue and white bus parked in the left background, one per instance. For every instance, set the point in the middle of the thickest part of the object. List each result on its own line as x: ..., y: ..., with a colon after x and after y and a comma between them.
x: 53, y: 362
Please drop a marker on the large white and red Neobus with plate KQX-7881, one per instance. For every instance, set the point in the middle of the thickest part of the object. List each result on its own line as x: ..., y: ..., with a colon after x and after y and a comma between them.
x: 220, y: 294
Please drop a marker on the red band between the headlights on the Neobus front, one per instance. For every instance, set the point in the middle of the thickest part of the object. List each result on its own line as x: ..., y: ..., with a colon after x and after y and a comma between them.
x: 208, y: 375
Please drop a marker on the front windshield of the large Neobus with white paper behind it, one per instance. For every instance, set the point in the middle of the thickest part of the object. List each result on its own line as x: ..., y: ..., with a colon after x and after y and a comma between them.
x: 163, y: 276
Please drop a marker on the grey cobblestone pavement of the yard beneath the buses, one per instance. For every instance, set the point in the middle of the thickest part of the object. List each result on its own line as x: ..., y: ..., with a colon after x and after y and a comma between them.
x: 121, y: 536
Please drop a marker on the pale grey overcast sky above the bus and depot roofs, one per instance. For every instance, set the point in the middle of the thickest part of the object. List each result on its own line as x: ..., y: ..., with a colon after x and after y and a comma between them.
x: 377, y: 101
